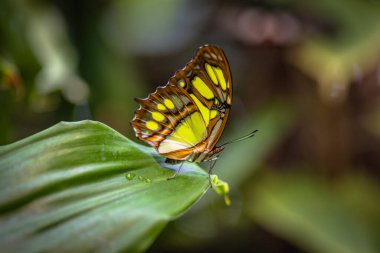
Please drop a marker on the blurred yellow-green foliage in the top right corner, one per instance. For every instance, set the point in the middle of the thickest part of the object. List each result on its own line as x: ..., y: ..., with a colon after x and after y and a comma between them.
x: 352, y: 52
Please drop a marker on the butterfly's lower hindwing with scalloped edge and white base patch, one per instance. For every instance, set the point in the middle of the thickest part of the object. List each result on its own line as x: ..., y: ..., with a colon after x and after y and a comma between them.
x: 170, y: 121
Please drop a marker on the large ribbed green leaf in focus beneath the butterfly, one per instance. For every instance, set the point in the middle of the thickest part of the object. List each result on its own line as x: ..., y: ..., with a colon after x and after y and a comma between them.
x: 84, y: 187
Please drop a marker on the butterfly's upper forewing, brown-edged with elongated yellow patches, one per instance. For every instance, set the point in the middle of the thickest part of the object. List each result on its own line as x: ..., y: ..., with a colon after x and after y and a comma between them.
x: 208, y: 81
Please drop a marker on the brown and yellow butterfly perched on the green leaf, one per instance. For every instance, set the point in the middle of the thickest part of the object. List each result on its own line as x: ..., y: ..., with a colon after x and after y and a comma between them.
x: 185, y: 118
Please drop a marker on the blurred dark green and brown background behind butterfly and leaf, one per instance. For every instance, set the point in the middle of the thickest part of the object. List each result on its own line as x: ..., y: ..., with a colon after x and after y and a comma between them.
x: 306, y: 74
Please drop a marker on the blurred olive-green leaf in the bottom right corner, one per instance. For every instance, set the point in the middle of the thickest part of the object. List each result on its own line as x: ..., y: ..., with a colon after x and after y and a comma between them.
x: 318, y: 214
